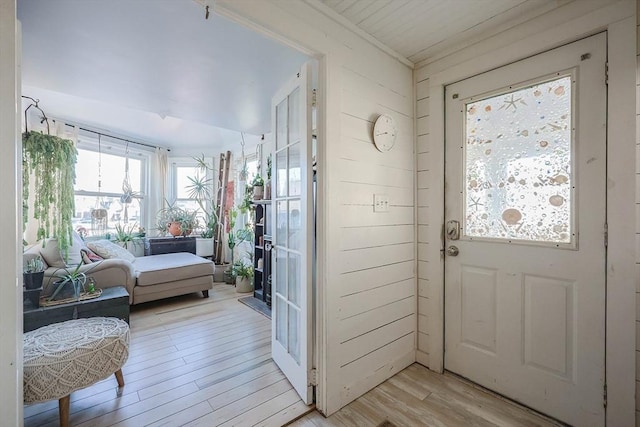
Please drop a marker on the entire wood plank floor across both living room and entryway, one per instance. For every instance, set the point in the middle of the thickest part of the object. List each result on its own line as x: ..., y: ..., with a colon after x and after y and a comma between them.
x: 207, y: 362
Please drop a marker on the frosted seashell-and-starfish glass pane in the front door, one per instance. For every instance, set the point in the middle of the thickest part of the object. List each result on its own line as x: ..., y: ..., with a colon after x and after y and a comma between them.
x: 518, y: 164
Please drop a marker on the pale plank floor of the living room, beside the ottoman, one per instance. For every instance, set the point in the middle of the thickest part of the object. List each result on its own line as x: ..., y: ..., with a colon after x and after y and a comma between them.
x: 192, y: 361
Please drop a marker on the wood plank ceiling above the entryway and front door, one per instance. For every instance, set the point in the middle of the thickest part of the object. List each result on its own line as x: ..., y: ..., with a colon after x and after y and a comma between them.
x: 420, y: 30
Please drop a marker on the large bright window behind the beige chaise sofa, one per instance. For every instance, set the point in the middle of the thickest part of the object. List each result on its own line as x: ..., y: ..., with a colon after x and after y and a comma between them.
x: 100, y: 174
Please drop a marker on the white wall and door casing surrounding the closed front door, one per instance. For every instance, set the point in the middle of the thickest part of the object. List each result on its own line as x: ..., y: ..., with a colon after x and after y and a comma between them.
x: 569, y: 22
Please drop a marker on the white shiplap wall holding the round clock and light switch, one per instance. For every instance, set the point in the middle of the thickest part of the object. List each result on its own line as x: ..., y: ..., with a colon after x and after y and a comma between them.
x: 367, y: 279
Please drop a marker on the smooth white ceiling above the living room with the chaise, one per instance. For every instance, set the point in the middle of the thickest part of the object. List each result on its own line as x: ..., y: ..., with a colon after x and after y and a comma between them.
x: 155, y: 71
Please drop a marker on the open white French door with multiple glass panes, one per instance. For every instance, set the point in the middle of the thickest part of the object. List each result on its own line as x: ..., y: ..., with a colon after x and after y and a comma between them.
x: 292, y: 336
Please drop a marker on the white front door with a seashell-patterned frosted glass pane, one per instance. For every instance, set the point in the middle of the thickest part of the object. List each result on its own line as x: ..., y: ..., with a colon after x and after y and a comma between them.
x: 525, y: 234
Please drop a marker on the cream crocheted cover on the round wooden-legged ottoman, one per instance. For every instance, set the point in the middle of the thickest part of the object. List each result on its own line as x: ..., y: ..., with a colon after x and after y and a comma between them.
x: 63, y: 357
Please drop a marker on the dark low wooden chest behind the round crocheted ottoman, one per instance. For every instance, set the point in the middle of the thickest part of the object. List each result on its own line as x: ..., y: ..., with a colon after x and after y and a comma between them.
x: 114, y: 302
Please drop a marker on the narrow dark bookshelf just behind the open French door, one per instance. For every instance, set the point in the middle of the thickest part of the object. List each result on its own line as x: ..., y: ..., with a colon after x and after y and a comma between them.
x: 262, y: 252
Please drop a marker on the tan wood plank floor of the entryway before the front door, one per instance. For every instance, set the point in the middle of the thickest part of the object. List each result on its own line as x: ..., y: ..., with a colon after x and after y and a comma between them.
x: 419, y: 397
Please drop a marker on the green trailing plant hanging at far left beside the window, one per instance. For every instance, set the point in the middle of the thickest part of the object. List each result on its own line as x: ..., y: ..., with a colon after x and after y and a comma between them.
x: 50, y: 161
